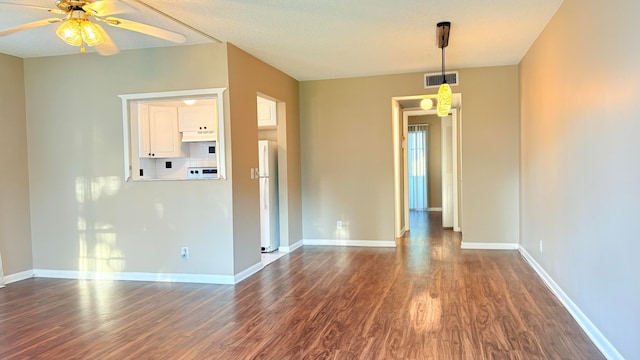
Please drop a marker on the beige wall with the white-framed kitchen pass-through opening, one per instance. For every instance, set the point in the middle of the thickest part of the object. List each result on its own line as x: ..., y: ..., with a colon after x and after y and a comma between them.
x: 84, y: 217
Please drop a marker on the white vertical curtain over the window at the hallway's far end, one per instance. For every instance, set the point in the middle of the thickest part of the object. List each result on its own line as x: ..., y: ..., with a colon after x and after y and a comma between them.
x: 417, y: 156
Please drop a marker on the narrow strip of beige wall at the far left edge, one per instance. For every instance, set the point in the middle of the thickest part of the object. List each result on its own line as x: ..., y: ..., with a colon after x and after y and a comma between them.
x: 15, y: 231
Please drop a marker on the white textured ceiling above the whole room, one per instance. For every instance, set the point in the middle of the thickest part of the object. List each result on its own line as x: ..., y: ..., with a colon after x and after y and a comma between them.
x: 320, y: 39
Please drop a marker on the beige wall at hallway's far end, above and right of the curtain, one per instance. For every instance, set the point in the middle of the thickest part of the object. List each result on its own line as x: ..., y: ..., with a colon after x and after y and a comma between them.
x: 434, y: 143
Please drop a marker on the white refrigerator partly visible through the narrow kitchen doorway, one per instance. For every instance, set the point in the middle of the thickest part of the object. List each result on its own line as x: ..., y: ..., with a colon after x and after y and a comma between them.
x: 268, y: 176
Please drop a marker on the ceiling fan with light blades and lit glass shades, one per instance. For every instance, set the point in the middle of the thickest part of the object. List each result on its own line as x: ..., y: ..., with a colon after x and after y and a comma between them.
x: 77, y: 29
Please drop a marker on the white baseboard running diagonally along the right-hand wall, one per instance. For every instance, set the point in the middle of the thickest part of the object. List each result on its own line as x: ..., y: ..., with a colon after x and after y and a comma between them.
x: 607, y: 349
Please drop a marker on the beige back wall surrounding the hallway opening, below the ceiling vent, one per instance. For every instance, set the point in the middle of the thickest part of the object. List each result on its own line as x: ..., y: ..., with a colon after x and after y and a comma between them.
x: 347, y: 156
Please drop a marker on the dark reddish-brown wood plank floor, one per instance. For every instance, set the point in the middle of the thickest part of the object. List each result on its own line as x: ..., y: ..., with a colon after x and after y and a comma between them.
x: 427, y: 299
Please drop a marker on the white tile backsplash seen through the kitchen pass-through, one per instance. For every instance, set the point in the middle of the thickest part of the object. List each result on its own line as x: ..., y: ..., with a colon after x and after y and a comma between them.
x: 199, y: 154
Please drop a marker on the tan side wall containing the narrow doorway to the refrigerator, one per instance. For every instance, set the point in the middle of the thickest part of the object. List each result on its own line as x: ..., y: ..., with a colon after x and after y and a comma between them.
x: 249, y: 76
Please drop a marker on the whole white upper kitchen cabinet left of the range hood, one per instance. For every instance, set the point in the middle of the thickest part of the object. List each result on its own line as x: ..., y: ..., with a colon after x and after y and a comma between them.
x: 159, y: 135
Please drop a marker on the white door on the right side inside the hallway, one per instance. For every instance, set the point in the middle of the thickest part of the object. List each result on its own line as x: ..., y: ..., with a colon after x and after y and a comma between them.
x: 447, y: 172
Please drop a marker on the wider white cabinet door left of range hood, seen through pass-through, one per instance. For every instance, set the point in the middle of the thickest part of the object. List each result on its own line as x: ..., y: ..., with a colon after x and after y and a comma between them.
x: 164, y: 137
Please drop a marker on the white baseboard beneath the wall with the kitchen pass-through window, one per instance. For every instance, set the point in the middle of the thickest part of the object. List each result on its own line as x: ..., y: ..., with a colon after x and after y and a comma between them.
x: 136, y: 276
